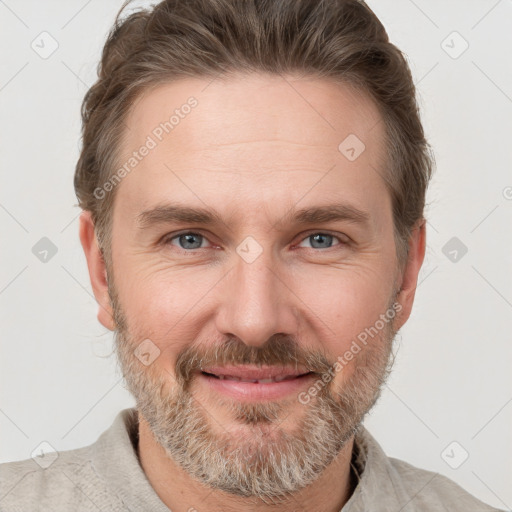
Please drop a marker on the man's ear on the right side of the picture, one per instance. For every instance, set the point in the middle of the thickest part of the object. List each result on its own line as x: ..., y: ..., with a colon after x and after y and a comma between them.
x: 417, y: 244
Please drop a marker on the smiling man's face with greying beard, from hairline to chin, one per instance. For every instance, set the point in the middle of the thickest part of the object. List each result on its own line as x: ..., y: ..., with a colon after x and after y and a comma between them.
x: 258, y: 286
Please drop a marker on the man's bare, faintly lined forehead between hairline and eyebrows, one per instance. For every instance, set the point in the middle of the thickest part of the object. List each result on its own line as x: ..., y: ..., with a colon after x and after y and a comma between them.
x: 253, y: 139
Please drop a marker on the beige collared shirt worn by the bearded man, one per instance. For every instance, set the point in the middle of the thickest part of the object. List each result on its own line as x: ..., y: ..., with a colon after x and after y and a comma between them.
x: 107, y: 476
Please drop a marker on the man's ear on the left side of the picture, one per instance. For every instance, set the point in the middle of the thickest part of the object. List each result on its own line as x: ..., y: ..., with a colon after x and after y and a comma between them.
x: 97, y: 270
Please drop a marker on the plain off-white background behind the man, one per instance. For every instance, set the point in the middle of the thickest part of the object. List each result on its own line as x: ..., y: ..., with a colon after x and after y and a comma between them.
x: 452, y: 378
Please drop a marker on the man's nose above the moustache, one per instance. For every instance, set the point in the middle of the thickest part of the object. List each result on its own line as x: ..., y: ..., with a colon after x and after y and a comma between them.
x: 256, y: 303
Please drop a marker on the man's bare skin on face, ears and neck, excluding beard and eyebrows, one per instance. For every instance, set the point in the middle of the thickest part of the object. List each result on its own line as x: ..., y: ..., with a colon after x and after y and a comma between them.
x: 255, y: 148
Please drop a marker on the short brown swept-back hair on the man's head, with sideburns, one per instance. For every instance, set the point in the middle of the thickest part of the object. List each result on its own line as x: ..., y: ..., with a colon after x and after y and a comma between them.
x: 341, y: 40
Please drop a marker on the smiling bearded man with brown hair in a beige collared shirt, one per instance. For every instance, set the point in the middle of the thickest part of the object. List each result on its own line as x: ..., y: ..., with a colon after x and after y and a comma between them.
x: 253, y: 177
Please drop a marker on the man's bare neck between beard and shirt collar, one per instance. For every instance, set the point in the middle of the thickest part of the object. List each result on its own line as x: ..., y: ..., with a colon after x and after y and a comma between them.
x: 182, y: 493
